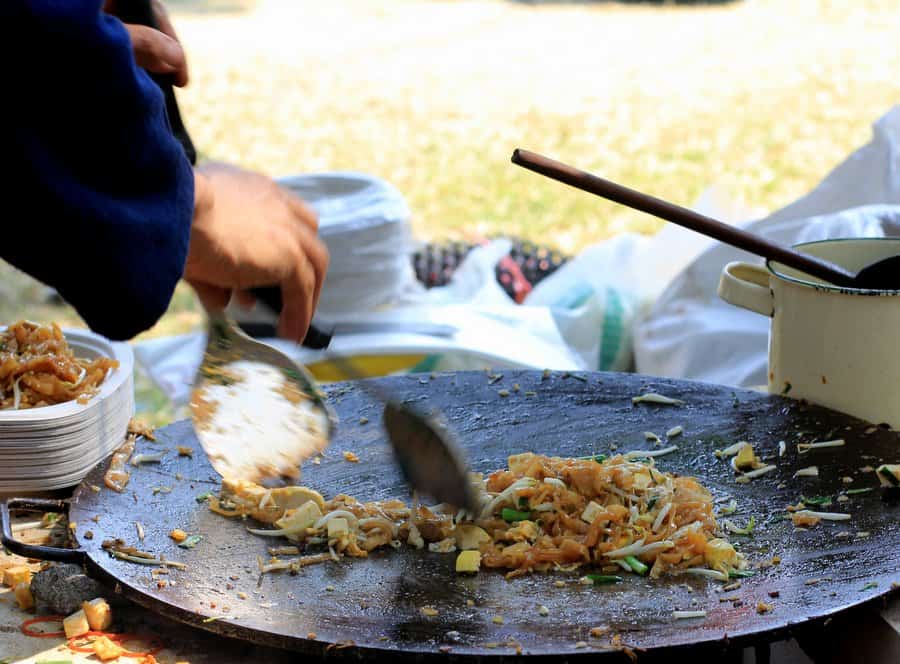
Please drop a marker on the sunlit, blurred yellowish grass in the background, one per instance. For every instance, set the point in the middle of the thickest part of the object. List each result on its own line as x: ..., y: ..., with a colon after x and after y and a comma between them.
x: 760, y: 98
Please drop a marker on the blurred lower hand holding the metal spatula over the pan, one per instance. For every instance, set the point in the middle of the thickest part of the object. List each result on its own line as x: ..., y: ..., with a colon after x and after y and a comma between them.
x: 249, y: 232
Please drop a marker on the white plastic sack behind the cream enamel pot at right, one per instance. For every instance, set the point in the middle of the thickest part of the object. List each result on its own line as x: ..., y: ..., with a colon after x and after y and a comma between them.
x: 691, y: 333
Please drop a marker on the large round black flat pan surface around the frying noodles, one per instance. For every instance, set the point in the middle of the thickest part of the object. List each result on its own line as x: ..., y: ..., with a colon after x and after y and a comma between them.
x: 372, y: 607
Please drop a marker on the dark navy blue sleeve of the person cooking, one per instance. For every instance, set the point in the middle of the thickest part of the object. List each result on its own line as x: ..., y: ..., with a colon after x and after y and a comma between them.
x: 98, y: 195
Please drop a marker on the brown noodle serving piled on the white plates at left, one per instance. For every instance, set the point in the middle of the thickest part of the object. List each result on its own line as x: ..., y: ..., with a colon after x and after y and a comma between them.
x: 37, y: 368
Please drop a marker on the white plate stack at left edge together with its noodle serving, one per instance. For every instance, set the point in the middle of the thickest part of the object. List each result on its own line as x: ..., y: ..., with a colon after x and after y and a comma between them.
x: 66, y: 397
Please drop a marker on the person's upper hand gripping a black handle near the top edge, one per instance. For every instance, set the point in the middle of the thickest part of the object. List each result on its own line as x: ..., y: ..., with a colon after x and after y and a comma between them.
x: 157, y: 51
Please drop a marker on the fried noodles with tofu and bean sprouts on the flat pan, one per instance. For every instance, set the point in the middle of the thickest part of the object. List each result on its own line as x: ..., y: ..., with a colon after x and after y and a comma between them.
x: 541, y: 514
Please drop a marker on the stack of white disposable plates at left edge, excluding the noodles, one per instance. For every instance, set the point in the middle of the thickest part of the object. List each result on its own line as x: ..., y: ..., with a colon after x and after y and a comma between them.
x: 56, y: 446
